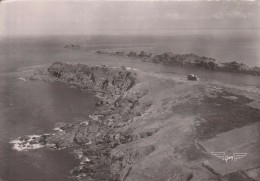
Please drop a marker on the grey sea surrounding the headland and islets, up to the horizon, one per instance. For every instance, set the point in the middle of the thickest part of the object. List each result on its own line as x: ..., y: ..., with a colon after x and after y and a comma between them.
x: 34, y: 107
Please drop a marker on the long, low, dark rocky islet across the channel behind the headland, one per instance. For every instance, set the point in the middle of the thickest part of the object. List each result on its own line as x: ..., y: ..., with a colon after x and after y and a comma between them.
x: 188, y: 60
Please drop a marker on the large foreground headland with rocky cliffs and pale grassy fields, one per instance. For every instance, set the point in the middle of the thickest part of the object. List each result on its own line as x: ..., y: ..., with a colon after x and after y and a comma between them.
x: 156, y: 127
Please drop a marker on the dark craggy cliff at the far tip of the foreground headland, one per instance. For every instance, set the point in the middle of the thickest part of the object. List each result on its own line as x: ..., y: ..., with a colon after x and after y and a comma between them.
x: 109, y: 82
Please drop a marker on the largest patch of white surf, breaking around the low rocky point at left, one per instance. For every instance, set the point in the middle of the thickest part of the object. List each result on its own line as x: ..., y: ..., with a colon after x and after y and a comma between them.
x: 25, y: 145
